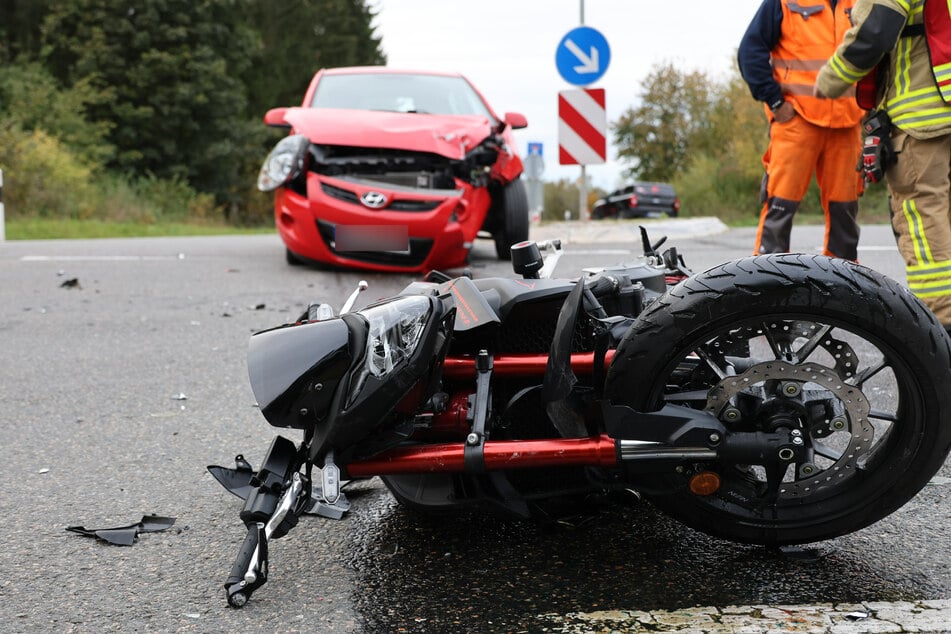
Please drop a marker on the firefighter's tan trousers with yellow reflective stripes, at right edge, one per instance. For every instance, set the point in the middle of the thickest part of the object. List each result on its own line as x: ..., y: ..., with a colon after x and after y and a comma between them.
x: 920, y: 187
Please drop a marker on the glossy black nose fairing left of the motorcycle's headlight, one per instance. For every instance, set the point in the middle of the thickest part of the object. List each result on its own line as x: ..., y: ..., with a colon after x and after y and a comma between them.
x: 295, y: 369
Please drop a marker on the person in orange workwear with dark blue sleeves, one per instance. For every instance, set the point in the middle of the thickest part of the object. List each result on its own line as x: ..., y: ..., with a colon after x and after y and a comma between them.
x: 779, y: 57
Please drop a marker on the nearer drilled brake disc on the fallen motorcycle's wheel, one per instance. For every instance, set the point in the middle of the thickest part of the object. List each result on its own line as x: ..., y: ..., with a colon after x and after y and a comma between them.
x: 854, y: 402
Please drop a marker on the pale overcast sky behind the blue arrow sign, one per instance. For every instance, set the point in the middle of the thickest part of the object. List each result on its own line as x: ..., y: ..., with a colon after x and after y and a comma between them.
x: 507, y: 49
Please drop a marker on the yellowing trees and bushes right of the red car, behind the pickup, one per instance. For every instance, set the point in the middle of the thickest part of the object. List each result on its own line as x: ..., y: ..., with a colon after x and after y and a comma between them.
x: 706, y: 138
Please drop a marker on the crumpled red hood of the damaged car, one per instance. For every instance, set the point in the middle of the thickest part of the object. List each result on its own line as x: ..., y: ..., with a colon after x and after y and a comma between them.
x: 451, y: 136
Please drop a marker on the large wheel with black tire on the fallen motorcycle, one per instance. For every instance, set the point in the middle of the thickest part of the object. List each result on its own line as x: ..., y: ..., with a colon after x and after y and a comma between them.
x: 731, y: 339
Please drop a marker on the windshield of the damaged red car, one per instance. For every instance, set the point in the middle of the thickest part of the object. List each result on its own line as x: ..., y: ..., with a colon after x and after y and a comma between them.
x: 399, y: 92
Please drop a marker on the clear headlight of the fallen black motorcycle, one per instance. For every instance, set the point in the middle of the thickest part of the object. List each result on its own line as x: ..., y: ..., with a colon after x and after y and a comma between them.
x: 394, y: 332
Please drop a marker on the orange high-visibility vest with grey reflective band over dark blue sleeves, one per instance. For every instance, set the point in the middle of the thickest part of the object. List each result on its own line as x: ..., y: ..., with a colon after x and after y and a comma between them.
x: 809, y: 37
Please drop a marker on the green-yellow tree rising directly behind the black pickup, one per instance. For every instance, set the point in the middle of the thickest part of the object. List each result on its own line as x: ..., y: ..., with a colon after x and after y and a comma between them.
x: 657, y: 138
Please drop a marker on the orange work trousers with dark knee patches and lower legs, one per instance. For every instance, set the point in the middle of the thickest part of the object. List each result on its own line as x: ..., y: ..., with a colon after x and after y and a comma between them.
x: 797, y: 150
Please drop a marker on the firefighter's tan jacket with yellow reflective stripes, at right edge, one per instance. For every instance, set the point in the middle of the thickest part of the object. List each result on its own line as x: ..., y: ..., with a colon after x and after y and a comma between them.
x: 912, y: 97
